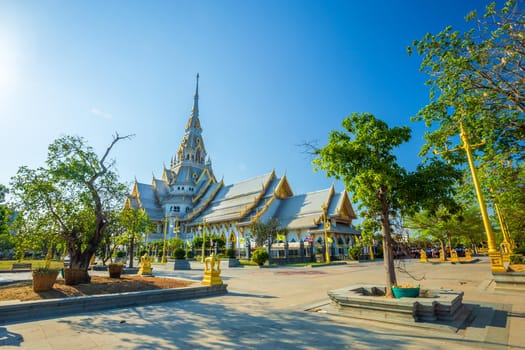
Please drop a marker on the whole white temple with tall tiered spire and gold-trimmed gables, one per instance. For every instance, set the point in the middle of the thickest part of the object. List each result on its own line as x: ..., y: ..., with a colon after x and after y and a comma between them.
x: 188, y: 200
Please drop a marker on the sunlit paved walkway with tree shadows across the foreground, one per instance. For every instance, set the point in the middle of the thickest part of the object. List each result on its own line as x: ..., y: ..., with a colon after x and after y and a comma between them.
x: 264, y: 309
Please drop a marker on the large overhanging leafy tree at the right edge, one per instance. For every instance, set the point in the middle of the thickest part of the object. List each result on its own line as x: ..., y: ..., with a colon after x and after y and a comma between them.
x: 477, y: 80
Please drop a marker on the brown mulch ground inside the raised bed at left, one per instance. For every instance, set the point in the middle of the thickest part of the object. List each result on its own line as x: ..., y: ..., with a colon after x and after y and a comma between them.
x: 23, y: 291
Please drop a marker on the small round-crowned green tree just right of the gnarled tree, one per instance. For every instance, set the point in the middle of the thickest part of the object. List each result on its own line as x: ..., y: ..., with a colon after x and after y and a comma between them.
x: 136, y: 222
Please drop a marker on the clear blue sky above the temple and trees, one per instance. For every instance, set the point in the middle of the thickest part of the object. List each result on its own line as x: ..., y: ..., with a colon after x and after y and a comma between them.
x: 273, y: 74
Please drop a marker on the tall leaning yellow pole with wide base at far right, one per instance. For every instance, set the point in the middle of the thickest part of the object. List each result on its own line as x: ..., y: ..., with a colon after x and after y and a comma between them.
x: 494, y: 256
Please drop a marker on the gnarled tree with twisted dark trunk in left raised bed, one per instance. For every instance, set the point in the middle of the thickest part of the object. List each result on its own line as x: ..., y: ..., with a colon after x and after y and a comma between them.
x: 74, y: 192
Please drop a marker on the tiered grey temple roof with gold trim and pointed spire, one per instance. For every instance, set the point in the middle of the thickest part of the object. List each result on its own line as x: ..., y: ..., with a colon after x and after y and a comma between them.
x: 189, y: 192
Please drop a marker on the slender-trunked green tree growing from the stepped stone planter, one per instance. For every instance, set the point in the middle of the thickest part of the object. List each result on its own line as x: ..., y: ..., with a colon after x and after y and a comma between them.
x: 362, y: 156
